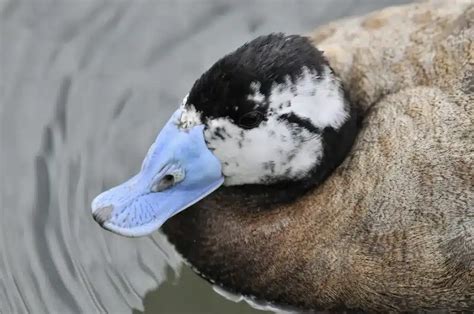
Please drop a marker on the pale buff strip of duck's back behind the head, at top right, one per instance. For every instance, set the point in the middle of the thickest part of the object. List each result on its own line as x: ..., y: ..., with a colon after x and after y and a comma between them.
x: 422, y: 44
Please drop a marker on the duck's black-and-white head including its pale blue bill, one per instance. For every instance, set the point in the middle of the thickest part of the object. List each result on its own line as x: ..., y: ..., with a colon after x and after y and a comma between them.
x: 272, y: 113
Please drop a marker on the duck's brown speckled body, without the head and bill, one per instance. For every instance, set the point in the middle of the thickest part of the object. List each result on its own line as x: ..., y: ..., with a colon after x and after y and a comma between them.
x: 393, y: 227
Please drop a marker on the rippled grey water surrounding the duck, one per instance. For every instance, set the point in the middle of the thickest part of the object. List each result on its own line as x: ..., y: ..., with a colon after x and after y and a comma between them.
x: 85, y: 87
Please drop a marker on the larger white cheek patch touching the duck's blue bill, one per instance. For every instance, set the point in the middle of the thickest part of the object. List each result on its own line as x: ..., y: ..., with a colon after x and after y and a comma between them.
x: 273, y: 151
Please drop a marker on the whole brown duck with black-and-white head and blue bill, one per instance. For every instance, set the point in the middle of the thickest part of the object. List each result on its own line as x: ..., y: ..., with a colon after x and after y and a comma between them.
x: 329, y: 171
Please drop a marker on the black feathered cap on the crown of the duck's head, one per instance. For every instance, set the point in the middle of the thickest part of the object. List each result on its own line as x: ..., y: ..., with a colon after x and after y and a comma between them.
x: 226, y: 89
